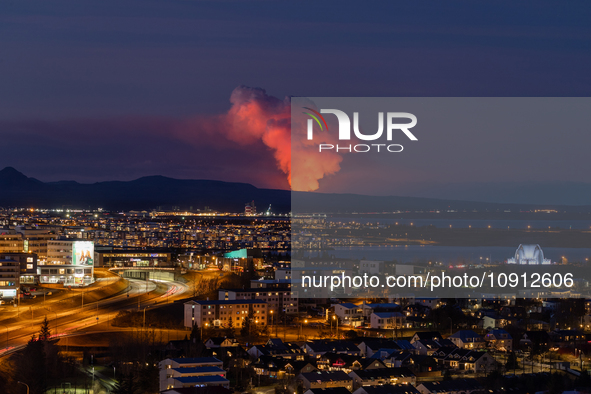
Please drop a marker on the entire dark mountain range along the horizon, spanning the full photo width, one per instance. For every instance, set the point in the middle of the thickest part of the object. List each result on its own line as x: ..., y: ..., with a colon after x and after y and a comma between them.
x: 153, y: 192
